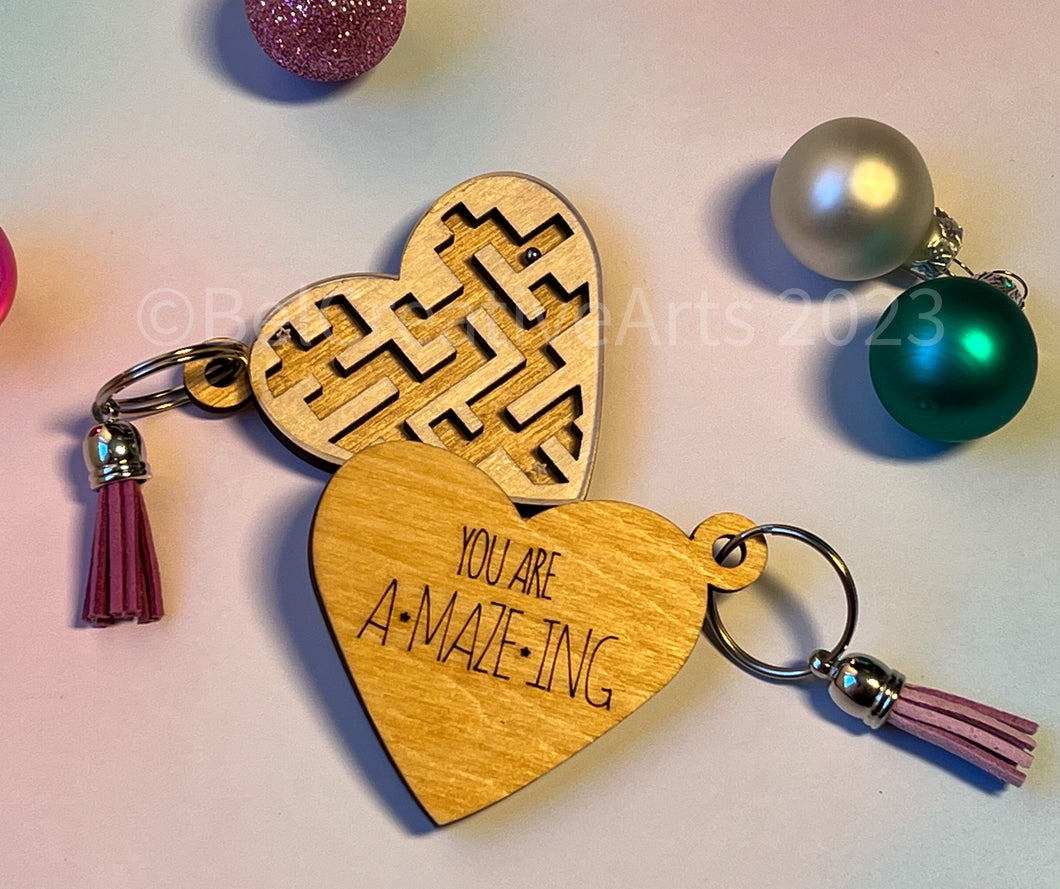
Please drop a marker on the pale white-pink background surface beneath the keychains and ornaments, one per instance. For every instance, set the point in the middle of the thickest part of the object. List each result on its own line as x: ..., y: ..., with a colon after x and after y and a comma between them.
x: 152, y: 146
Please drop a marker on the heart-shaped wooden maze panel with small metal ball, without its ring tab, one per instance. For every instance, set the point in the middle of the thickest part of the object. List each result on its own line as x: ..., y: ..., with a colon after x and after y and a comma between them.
x: 488, y: 344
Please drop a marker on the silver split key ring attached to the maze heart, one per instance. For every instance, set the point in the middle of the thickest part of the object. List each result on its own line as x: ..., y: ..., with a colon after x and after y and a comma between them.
x: 109, y: 407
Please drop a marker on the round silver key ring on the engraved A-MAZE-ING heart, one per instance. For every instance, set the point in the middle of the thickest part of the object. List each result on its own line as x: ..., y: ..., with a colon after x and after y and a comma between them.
x: 729, y: 645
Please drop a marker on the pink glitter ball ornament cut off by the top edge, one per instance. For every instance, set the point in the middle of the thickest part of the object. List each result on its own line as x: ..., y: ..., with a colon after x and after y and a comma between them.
x: 327, y: 40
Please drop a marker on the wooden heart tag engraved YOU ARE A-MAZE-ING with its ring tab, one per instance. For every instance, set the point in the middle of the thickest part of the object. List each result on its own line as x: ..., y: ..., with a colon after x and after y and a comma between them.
x: 488, y: 648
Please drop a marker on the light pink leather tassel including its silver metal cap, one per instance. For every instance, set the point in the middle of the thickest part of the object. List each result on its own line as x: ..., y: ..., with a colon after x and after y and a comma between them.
x: 997, y: 742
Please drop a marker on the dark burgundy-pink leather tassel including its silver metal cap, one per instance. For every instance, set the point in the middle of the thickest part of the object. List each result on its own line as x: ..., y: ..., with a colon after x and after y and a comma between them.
x: 123, y: 578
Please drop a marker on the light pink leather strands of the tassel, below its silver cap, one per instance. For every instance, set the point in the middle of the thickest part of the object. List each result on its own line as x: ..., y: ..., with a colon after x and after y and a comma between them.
x: 997, y: 742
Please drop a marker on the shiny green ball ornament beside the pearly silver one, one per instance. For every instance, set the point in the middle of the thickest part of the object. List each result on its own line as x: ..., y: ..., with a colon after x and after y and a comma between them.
x: 953, y: 360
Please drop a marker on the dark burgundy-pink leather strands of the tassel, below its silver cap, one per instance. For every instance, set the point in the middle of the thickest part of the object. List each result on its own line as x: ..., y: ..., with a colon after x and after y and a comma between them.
x: 123, y: 579
